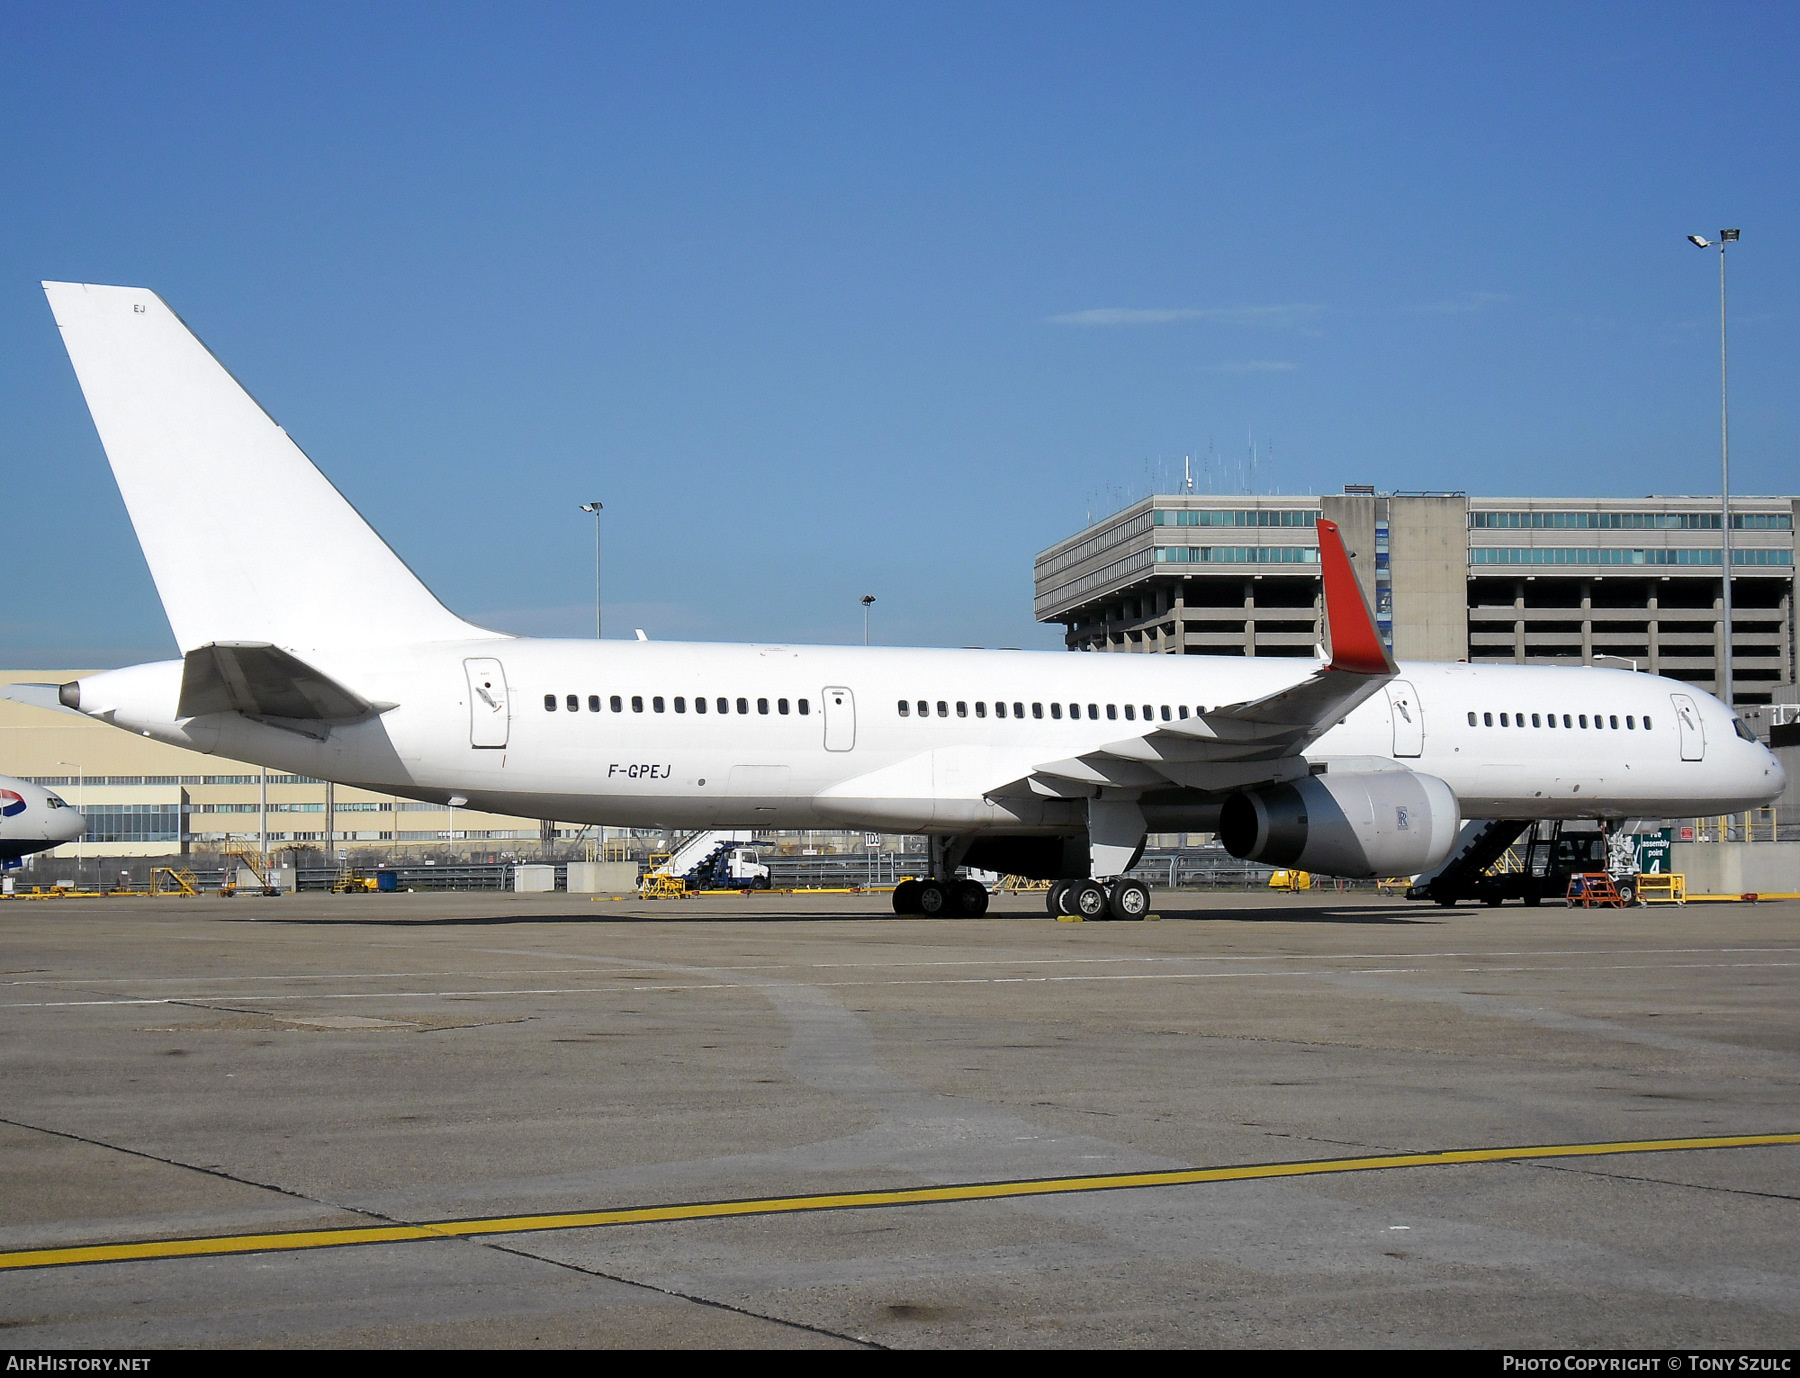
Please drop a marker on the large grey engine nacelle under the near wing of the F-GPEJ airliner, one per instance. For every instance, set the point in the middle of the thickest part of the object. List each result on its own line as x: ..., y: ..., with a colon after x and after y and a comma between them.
x: 1380, y: 823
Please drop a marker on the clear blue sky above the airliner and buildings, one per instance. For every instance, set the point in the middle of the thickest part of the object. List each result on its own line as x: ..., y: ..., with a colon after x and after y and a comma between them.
x: 843, y: 300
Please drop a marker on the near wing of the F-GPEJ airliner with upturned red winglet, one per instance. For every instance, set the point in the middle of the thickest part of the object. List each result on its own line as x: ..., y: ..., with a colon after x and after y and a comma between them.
x: 1254, y: 742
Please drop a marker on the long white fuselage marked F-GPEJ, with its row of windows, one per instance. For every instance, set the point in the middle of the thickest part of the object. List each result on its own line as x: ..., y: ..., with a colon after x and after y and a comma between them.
x: 813, y: 737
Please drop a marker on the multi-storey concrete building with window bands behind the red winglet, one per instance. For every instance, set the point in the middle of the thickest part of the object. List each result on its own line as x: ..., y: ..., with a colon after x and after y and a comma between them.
x: 1552, y: 582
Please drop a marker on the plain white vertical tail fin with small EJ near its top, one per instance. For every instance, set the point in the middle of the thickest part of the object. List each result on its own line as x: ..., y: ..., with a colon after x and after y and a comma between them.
x: 246, y: 539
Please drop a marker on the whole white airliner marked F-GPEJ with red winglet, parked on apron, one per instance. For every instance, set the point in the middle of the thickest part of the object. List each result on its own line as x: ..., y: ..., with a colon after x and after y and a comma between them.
x: 309, y: 647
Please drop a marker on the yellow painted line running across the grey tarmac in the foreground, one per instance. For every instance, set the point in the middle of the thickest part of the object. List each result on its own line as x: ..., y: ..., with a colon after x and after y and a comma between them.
x: 847, y: 1201
